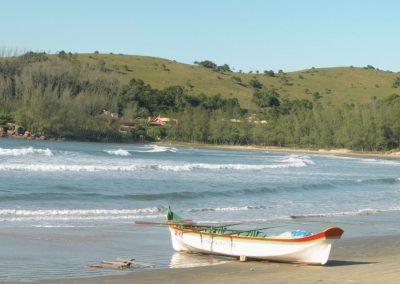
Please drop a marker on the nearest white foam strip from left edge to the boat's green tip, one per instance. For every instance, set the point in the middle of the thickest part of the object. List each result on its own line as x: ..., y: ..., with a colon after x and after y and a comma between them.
x: 78, y: 214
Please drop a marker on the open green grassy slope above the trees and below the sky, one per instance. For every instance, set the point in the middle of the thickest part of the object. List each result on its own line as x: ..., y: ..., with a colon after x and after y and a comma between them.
x: 334, y: 85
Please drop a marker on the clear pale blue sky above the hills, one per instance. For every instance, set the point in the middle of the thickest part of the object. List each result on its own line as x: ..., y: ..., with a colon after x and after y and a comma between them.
x: 246, y: 34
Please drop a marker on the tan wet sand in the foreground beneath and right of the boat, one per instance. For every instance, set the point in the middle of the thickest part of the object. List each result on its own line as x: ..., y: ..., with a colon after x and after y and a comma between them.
x: 356, y: 260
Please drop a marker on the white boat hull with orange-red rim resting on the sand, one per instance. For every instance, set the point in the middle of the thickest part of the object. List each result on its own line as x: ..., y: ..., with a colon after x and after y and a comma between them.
x: 314, y: 249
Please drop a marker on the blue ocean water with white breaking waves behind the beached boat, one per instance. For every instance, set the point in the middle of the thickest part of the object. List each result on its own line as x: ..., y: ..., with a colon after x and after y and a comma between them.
x: 66, y: 204
